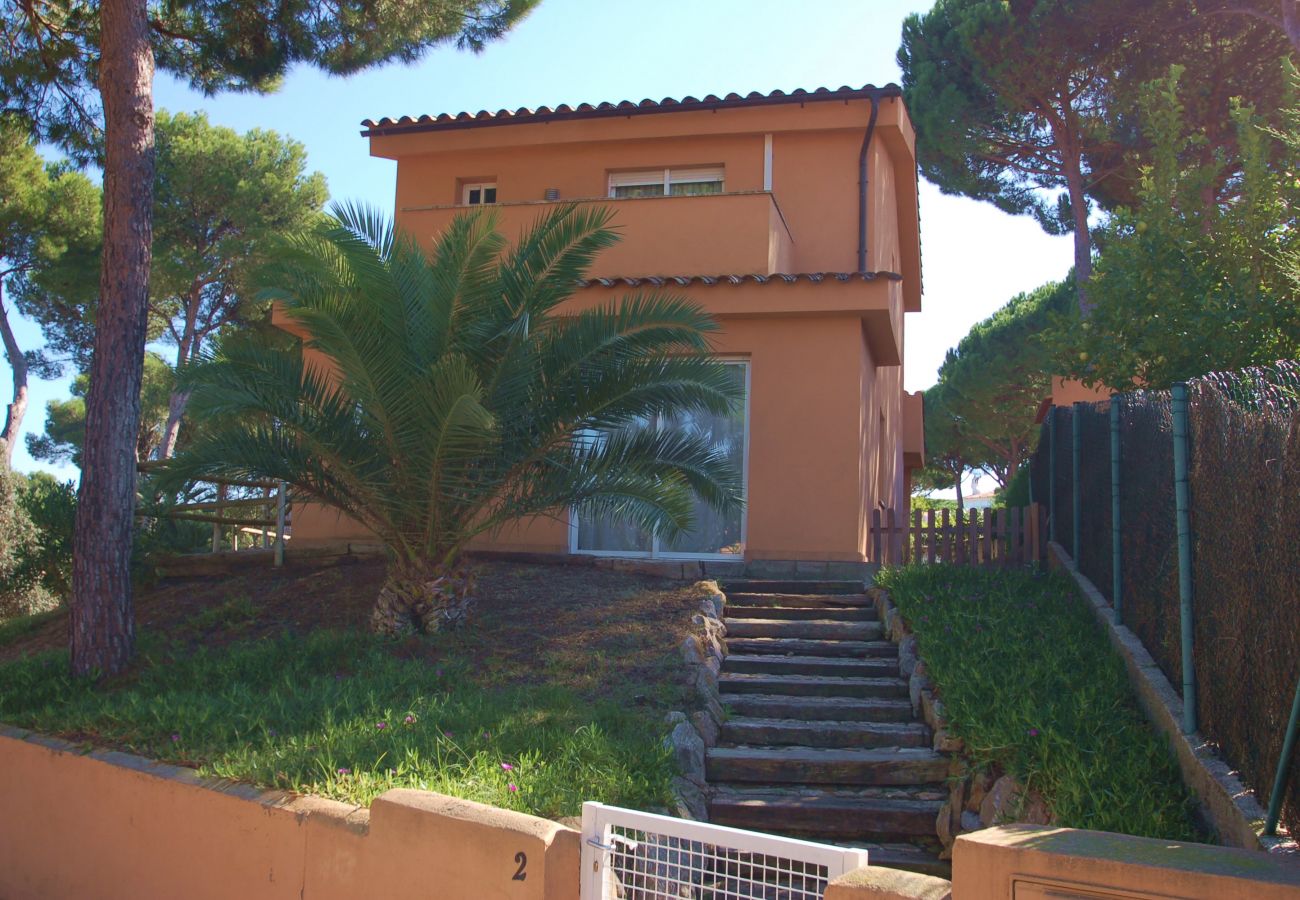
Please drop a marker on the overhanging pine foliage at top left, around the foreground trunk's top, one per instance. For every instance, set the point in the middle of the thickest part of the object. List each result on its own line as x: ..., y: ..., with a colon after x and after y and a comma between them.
x: 49, y: 70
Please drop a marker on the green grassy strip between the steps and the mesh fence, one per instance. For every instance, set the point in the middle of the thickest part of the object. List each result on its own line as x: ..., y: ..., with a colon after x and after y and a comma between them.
x: 1034, y: 690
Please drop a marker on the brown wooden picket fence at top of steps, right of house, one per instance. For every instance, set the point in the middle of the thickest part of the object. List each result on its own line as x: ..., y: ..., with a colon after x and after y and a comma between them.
x: 978, y: 538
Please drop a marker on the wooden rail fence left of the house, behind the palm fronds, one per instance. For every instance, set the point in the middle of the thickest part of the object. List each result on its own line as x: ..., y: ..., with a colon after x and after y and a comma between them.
x: 266, y: 518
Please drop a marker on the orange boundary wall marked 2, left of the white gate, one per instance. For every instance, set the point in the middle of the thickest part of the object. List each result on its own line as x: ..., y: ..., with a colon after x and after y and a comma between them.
x: 110, y: 825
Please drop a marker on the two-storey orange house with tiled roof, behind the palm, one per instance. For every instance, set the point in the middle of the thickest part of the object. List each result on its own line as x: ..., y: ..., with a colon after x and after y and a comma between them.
x: 792, y: 218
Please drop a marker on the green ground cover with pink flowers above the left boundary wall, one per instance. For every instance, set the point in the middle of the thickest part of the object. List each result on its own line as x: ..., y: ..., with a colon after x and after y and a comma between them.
x: 339, y: 715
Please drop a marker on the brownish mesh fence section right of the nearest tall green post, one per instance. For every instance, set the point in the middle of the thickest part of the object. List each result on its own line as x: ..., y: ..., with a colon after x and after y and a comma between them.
x: 1246, y: 566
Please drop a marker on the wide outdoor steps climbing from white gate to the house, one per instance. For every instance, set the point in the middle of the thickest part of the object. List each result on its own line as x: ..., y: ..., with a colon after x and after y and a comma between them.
x: 821, y: 739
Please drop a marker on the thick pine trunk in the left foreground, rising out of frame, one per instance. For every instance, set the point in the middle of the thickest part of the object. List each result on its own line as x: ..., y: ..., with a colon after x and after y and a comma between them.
x: 102, y: 622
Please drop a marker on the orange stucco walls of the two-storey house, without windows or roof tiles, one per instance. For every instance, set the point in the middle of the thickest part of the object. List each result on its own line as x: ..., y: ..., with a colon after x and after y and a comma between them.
x: 826, y: 360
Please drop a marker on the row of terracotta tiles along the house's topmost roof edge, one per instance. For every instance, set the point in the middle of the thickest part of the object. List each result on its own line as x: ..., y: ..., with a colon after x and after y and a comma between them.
x: 444, y: 122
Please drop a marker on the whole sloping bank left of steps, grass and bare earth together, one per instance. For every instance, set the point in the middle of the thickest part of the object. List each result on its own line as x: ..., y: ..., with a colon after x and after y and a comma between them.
x: 553, y: 696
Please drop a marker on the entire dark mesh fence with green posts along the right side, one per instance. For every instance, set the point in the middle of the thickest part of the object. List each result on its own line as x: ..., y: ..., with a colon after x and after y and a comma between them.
x: 1245, y: 478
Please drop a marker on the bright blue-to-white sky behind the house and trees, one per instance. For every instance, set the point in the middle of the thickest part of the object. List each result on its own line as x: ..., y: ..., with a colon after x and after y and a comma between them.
x: 573, y: 51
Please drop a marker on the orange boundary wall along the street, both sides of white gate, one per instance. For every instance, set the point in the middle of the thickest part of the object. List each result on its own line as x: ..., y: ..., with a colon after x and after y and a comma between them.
x: 109, y: 825
